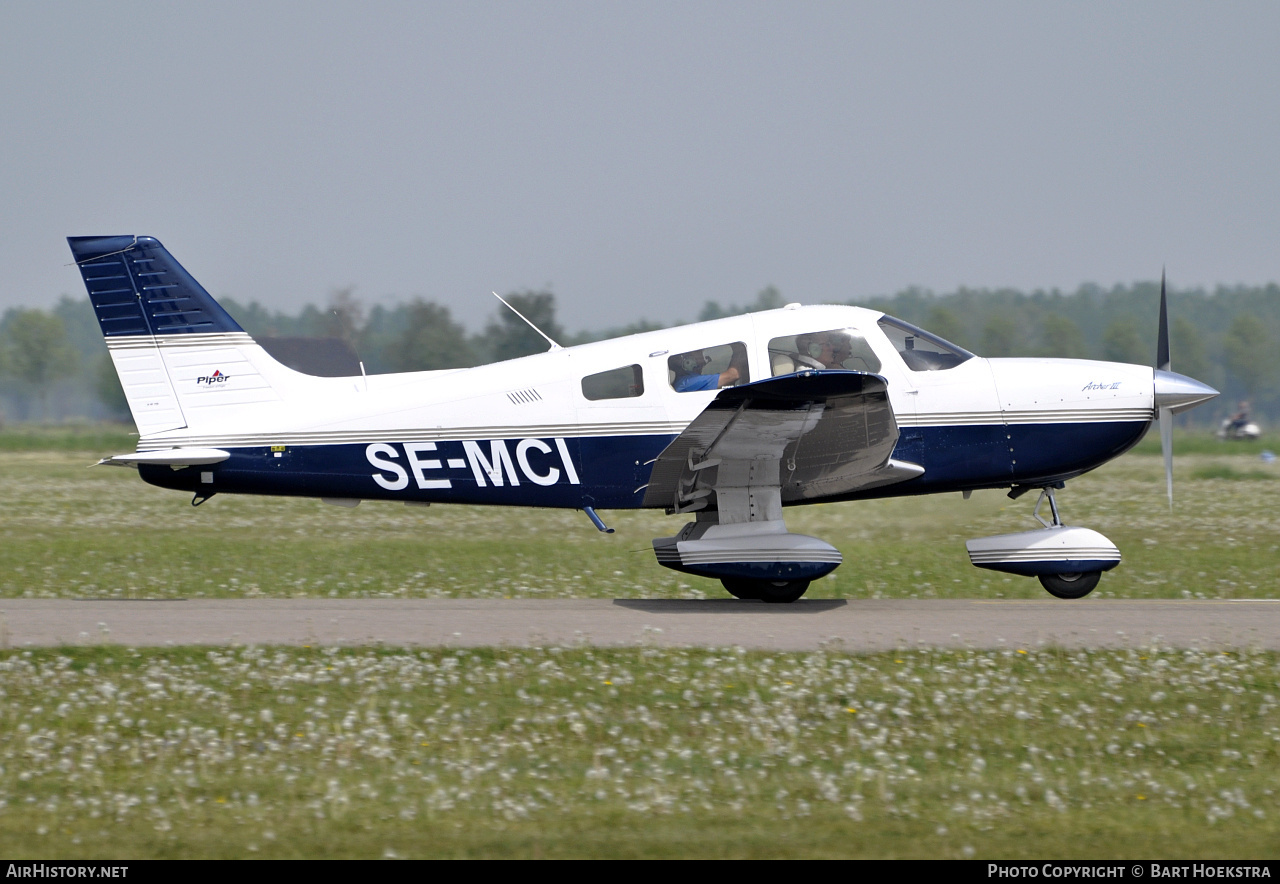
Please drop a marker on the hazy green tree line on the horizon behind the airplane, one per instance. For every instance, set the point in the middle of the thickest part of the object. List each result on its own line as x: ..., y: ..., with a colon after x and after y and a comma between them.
x: 54, y: 364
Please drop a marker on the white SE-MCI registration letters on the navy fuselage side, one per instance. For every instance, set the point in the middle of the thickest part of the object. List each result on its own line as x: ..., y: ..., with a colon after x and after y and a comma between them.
x: 493, y: 468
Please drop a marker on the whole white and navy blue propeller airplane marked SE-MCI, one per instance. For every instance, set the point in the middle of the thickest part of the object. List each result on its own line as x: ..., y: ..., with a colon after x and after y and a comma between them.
x: 728, y: 422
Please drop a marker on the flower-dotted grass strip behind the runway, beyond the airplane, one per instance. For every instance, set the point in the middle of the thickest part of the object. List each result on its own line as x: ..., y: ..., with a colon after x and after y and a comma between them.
x: 71, y: 532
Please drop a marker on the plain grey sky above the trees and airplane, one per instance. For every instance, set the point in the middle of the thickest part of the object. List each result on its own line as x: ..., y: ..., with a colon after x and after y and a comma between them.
x: 642, y: 158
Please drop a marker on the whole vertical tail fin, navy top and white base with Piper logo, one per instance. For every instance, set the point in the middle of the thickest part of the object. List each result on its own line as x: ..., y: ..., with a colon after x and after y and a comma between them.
x: 182, y: 360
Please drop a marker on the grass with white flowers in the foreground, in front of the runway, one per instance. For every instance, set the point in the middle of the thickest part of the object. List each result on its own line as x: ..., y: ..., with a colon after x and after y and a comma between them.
x: 641, y: 753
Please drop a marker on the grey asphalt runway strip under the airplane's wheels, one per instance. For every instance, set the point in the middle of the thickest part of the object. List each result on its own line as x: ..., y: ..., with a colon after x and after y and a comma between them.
x: 854, y: 626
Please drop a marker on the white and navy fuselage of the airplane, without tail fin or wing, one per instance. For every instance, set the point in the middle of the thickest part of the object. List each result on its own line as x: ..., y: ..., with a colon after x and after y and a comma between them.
x: 583, y: 427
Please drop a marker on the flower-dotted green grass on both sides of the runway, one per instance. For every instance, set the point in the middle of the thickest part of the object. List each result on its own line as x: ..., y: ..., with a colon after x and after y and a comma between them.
x: 625, y: 753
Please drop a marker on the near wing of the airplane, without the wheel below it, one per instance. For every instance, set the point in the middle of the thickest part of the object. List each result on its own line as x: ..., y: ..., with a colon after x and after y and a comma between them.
x: 813, y: 434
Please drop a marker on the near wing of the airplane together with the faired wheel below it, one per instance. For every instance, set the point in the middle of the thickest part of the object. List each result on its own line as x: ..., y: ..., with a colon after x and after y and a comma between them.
x: 758, y: 447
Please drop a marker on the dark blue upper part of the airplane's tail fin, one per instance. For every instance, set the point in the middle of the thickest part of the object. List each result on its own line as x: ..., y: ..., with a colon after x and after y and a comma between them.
x: 138, y: 288
